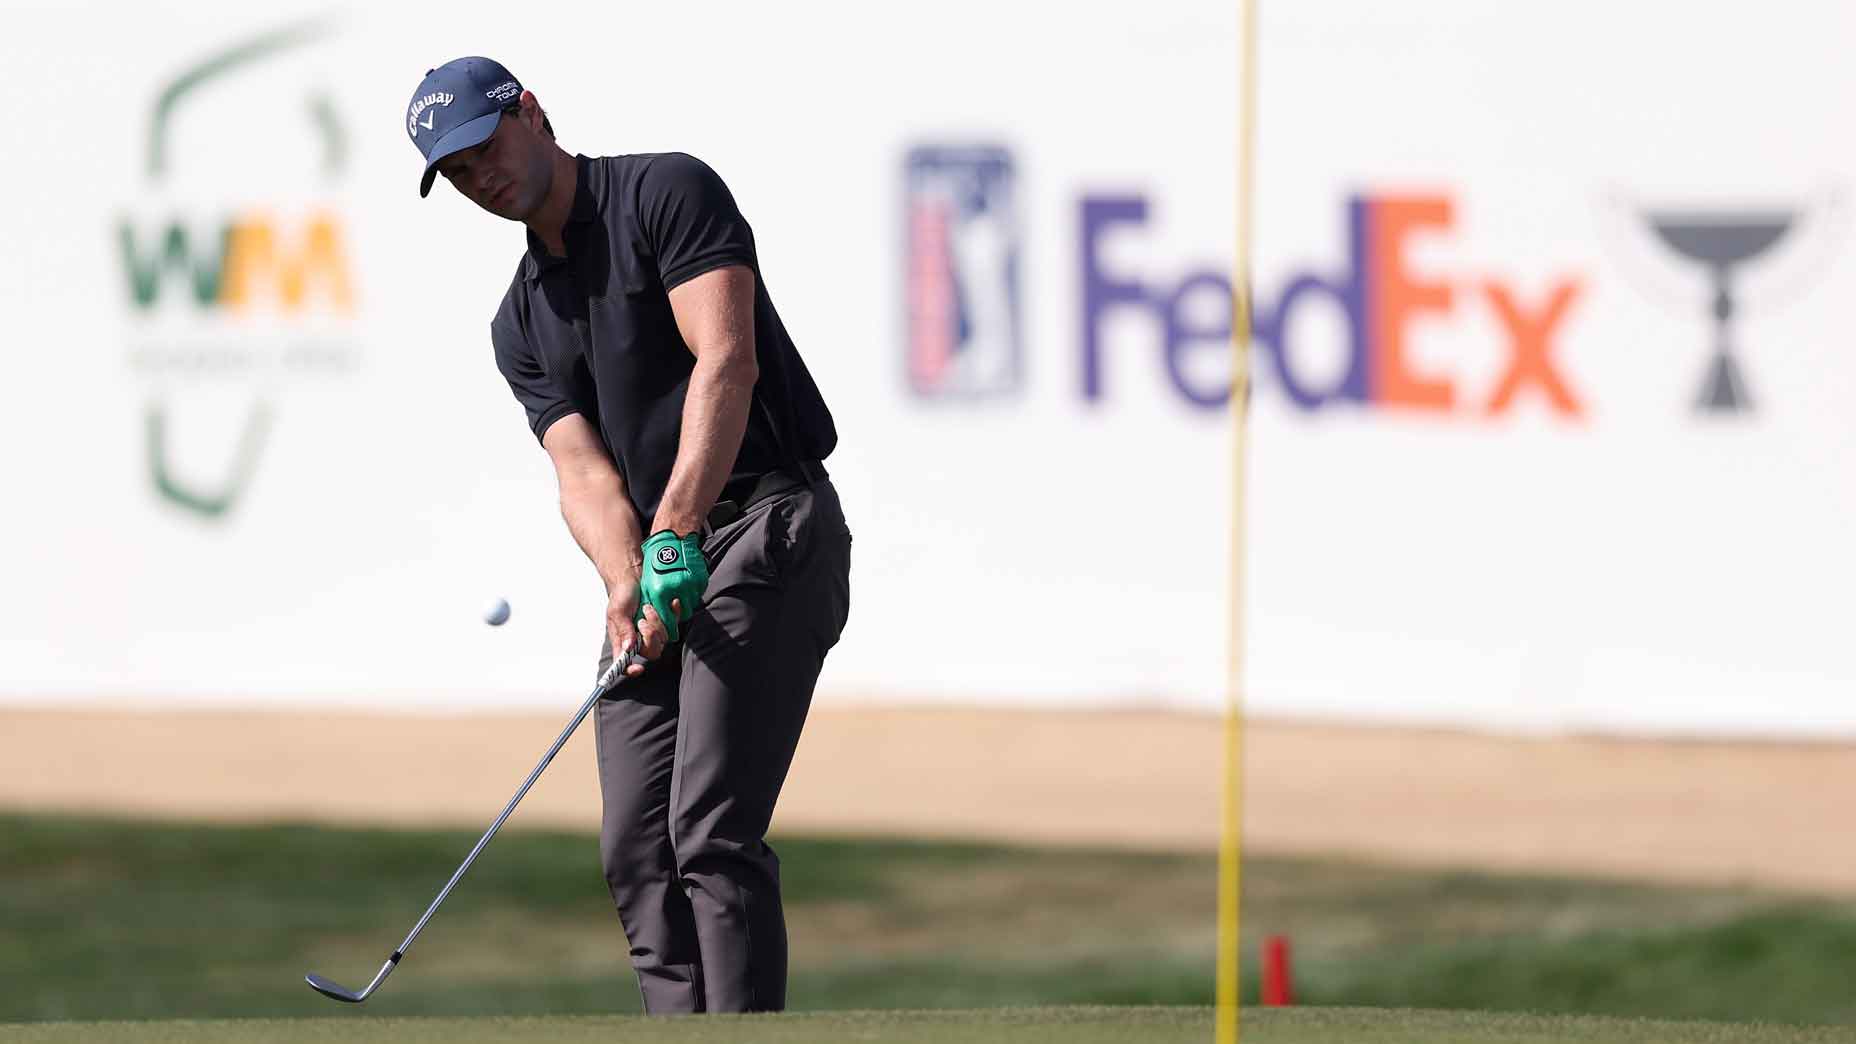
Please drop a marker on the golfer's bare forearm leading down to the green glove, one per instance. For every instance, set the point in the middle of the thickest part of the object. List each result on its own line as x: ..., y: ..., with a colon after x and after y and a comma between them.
x: 715, y: 417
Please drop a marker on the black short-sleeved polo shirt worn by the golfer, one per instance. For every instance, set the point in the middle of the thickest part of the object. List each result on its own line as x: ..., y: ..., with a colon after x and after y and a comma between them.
x: 593, y: 333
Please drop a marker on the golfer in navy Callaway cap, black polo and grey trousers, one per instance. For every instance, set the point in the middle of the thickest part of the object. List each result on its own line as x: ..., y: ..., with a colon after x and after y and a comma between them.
x: 688, y: 439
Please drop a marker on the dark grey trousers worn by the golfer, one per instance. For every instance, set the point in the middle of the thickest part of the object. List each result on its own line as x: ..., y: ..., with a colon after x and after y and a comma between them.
x: 695, y: 751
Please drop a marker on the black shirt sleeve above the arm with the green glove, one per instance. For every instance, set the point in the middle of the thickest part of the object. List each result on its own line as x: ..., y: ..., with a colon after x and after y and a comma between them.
x: 691, y: 220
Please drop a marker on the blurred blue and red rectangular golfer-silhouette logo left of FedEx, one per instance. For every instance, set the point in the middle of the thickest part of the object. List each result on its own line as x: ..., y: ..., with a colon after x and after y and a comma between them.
x: 962, y: 272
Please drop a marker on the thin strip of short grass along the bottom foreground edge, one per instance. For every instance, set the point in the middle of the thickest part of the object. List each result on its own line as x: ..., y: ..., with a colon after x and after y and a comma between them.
x: 998, y: 1026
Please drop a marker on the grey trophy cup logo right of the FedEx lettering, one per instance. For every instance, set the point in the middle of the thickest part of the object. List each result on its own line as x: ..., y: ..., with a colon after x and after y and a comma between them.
x: 1772, y: 246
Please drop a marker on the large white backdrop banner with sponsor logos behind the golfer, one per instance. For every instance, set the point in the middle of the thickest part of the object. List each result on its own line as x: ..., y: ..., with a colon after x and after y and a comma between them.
x: 1553, y: 415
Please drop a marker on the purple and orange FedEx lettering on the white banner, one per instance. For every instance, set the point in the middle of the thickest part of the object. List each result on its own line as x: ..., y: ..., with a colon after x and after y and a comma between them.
x: 1376, y: 293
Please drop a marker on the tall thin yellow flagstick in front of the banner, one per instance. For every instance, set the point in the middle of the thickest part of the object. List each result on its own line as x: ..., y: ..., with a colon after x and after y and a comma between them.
x: 1231, y: 833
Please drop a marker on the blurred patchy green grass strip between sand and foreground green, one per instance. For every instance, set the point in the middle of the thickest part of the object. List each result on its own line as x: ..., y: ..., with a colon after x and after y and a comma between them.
x: 162, y: 920
